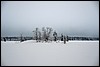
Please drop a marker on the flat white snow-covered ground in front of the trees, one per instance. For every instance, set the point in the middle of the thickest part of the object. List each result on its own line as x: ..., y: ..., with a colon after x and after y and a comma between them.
x: 30, y: 53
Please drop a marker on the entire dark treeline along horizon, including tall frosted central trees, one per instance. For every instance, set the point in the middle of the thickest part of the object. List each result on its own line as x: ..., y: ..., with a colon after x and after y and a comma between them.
x: 46, y: 34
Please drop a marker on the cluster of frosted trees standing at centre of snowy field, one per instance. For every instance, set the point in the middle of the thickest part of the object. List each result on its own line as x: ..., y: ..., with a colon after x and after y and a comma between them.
x: 47, y: 34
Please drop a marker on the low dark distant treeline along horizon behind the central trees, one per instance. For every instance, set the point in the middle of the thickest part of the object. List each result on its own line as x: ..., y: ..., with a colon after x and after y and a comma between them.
x: 59, y: 38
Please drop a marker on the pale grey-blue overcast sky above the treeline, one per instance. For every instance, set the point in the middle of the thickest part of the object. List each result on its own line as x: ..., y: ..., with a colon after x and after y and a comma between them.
x: 73, y: 18
